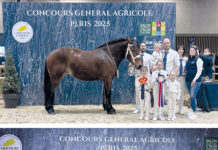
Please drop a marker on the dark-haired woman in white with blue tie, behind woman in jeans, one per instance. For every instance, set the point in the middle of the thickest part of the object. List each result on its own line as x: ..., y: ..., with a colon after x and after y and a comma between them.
x: 181, y: 75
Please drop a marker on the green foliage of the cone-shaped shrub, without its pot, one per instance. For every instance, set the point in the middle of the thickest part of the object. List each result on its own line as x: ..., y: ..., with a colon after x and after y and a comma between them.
x: 11, y: 84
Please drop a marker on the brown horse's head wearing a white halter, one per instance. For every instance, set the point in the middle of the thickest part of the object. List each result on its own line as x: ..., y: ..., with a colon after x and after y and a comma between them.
x: 133, y: 53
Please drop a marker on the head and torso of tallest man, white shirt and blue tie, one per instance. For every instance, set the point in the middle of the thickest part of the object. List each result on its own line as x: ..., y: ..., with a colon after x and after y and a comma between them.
x: 170, y: 57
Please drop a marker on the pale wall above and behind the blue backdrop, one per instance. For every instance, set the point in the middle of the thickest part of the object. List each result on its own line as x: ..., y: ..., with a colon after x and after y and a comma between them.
x: 192, y: 16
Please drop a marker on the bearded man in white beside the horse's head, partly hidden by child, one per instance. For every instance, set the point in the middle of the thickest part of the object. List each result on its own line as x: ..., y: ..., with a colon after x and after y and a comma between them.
x: 147, y: 62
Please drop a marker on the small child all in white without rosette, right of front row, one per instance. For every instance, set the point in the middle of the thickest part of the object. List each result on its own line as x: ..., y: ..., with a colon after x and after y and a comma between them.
x: 172, y: 94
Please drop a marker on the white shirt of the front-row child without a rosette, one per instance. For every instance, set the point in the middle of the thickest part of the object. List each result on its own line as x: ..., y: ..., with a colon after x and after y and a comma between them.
x: 173, y: 87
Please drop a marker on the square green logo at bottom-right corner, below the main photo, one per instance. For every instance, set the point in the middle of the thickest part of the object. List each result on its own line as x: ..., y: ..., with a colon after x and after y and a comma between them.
x: 211, y: 143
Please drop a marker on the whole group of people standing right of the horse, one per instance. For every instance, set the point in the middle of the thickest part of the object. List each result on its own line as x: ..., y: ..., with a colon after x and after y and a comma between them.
x: 168, y: 74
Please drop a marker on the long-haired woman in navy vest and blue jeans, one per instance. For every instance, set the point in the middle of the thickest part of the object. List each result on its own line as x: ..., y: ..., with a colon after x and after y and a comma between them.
x: 194, y: 68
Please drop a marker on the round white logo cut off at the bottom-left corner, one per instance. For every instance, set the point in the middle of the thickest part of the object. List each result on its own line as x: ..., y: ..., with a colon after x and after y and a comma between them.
x: 10, y: 142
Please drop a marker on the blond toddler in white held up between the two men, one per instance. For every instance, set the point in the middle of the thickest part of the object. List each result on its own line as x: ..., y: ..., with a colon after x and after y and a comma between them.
x: 157, y: 54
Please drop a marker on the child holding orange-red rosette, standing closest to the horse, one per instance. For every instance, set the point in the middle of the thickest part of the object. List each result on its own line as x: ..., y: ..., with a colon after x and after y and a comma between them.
x: 145, y: 98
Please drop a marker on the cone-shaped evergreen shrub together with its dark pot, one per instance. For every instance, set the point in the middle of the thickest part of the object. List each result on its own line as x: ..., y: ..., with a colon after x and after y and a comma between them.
x: 11, y: 84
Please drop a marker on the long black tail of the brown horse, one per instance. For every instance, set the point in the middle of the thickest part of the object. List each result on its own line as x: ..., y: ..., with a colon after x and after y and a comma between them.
x: 47, y: 87
